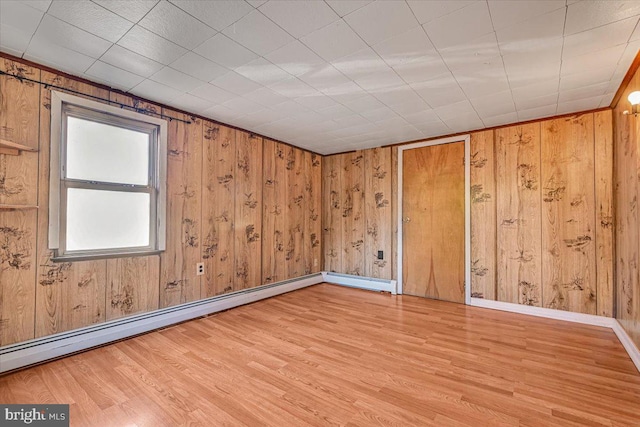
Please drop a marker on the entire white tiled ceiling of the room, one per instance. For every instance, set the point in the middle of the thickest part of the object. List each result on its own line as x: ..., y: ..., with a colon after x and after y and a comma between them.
x: 339, y: 75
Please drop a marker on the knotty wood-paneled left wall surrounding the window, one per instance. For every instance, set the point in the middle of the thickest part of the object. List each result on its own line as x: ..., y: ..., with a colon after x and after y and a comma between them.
x: 219, y: 198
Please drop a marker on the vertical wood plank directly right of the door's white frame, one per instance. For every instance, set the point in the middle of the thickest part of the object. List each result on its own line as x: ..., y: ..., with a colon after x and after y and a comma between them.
x: 483, y: 216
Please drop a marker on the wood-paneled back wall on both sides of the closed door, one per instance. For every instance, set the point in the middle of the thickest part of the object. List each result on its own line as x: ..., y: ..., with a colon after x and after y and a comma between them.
x: 541, y: 207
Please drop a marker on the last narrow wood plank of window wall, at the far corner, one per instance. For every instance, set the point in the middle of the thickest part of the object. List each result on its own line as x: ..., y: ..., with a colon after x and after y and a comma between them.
x: 313, y: 208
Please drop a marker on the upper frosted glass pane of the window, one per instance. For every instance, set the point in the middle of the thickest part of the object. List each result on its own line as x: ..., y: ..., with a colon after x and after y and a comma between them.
x: 99, y: 152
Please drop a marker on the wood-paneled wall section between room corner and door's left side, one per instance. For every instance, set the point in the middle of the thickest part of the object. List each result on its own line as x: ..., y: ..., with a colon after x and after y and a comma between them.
x: 356, y: 211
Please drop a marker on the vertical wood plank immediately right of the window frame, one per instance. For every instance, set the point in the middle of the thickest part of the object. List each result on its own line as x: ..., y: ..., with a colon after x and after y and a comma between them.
x: 178, y: 280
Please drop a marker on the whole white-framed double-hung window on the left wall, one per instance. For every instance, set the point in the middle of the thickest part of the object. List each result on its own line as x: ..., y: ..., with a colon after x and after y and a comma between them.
x: 108, y: 179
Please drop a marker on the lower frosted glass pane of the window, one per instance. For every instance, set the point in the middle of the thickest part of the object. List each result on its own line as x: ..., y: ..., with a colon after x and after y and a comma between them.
x: 99, y: 219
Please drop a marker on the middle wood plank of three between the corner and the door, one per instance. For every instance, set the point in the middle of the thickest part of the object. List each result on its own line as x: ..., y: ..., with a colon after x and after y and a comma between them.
x: 353, y: 213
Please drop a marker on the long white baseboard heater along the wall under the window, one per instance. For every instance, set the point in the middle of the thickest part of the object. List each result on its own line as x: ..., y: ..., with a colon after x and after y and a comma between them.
x: 39, y: 350
